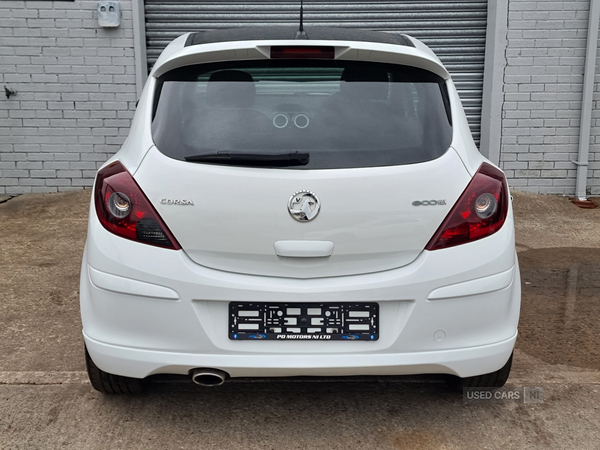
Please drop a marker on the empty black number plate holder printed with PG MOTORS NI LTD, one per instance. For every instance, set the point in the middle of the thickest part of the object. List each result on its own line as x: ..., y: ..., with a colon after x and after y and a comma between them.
x: 304, y: 321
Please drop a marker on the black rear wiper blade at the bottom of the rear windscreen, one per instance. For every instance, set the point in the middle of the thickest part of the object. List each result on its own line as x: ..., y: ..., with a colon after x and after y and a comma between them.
x: 253, y: 159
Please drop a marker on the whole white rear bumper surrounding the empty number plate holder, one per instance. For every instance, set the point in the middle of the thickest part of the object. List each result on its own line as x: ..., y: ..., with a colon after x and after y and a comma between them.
x: 451, y: 311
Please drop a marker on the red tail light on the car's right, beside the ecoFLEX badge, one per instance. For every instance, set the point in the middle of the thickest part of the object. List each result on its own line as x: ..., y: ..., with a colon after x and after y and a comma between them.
x: 479, y: 212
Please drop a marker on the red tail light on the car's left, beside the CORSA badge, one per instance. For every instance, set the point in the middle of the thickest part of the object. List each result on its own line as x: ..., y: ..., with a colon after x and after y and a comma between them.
x: 124, y: 210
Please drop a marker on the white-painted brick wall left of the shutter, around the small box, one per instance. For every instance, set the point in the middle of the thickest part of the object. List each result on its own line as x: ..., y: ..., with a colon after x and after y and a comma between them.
x: 75, y: 86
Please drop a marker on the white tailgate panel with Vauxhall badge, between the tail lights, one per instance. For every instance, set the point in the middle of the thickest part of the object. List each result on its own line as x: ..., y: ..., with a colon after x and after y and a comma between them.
x: 230, y: 218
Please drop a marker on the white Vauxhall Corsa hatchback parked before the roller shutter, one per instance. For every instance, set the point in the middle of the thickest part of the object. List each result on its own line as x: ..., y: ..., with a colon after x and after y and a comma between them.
x: 290, y: 207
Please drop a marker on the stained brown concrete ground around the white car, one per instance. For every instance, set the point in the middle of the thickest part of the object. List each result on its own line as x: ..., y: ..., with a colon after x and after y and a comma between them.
x: 47, y: 402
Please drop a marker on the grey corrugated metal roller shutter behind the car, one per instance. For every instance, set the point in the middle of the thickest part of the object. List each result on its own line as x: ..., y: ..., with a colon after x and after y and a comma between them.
x: 454, y: 30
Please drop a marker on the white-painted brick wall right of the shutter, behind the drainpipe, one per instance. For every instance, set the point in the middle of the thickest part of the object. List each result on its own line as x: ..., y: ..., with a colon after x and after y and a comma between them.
x: 542, y: 97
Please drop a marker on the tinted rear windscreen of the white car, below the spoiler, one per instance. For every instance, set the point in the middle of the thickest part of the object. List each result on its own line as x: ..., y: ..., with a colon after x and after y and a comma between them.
x: 342, y: 114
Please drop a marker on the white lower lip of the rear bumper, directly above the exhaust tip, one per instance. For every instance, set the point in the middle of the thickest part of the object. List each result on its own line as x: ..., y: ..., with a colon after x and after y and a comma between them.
x: 139, y: 363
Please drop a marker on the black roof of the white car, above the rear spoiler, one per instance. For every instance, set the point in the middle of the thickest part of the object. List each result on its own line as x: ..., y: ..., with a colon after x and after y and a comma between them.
x: 289, y: 32
